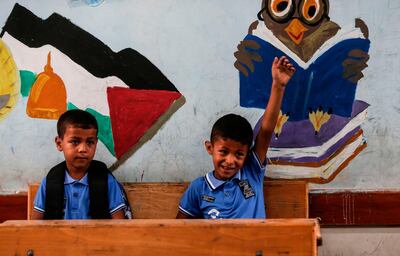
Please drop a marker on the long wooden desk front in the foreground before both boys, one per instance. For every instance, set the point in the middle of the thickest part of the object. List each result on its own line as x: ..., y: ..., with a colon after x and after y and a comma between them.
x: 160, y: 237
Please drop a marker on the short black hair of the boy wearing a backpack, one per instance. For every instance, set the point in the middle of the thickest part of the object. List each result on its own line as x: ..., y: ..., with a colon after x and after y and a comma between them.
x: 76, y: 118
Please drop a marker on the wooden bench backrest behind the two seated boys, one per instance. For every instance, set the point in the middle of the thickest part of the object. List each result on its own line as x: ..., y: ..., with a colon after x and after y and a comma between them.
x: 283, y: 199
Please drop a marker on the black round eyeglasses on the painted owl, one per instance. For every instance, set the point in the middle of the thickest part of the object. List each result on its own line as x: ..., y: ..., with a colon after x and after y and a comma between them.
x: 291, y: 15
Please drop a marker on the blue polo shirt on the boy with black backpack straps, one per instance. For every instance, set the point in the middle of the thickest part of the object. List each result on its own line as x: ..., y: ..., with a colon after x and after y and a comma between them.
x: 76, y: 197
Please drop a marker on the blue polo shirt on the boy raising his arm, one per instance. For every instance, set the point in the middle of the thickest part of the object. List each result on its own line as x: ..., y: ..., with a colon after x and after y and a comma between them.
x: 242, y: 196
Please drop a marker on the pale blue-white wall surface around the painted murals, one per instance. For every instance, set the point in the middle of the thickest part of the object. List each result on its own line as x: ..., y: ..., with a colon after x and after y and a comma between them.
x: 192, y: 43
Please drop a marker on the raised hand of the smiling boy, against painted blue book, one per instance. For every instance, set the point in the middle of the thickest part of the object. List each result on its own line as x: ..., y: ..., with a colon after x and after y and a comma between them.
x: 282, y: 70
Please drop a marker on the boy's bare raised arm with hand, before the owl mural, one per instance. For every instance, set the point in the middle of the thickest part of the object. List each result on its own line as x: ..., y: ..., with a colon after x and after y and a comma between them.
x: 282, y: 71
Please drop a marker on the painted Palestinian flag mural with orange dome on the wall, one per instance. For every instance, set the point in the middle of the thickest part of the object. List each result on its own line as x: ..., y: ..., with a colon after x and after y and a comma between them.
x: 63, y: 67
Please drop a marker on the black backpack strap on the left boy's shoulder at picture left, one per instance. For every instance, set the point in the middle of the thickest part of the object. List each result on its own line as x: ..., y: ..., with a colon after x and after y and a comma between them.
x: 54, y: 203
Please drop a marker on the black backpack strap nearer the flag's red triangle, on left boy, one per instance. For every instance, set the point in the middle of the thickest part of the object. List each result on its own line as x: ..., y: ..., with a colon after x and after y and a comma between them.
x: 98, y: 190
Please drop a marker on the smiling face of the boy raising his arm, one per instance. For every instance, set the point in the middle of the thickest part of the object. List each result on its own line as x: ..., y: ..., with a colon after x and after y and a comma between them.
x: 228, y: 156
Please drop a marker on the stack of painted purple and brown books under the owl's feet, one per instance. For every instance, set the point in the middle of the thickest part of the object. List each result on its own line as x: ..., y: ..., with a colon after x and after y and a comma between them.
x: 317, y: 153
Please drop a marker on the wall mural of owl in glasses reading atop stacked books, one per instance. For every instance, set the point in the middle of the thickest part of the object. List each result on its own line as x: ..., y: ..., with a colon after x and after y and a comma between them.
x: 318, y: 131
